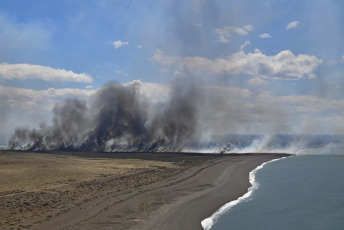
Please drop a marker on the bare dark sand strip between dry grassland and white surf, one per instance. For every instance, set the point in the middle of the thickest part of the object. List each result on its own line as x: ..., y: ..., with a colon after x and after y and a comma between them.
x: 179, y: 202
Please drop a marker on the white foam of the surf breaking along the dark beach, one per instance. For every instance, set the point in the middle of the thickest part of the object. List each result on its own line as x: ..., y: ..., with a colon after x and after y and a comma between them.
x: 210, y: 221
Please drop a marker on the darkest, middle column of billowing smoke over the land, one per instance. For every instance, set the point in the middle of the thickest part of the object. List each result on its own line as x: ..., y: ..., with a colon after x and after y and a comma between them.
x: 118, y: 117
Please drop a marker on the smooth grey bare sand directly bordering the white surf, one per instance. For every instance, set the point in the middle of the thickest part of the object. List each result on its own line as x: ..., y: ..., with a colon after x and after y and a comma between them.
x: 227, y: 180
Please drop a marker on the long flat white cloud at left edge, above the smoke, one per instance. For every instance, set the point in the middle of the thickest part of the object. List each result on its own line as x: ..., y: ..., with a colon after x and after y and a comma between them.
x: 28, y: 71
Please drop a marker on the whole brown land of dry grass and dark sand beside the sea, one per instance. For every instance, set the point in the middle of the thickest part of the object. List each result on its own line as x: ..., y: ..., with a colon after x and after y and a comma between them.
x: 121, y: 191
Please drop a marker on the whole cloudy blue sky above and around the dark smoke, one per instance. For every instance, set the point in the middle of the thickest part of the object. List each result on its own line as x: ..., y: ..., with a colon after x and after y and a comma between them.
x: 280, y: 61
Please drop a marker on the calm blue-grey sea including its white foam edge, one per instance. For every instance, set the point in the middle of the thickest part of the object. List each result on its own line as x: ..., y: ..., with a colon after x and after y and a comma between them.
x: 303, y: 192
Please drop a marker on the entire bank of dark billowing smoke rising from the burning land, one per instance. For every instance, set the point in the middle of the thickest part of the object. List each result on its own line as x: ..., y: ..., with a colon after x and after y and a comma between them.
x: 116, y: 119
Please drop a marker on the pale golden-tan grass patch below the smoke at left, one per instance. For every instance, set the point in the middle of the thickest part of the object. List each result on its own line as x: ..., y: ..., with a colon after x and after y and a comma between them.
x: 35, y: 171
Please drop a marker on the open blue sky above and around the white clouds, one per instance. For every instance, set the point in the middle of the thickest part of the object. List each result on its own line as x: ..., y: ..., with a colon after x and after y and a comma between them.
x: 78, y: 35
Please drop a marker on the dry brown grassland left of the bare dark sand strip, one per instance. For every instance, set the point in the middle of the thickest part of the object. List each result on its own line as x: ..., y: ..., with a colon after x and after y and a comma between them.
x: 35, y: 187
